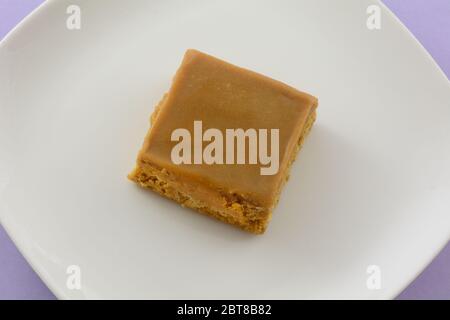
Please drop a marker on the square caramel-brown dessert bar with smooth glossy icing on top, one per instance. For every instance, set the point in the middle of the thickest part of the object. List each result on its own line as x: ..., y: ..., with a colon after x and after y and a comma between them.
x: 221, y: 96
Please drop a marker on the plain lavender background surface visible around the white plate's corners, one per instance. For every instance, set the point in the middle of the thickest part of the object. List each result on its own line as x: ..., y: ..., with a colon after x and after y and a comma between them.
x: 428, y: 20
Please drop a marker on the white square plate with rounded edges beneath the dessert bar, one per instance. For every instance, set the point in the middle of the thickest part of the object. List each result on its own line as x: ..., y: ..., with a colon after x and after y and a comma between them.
x: 370, y: 187
